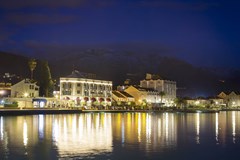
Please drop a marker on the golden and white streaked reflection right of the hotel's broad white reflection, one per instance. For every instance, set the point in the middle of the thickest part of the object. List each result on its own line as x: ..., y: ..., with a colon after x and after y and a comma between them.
x: 152, y: 130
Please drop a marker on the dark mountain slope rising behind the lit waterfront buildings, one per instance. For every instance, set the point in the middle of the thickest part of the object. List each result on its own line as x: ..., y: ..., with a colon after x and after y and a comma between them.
x: 117, y: 66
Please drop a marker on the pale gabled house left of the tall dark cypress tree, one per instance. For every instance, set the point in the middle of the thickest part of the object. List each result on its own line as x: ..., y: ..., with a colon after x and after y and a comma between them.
x: 25, y: 88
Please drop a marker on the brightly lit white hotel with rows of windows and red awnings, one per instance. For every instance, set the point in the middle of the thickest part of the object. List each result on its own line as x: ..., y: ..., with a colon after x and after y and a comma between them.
x: 83, y: 89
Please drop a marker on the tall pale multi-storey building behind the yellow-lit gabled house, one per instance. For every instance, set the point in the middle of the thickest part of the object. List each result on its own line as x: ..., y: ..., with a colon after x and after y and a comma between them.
x: 166, y: 86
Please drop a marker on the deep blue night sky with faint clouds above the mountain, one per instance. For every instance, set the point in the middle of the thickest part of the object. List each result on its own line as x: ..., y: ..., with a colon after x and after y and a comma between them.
x: 202, y: 32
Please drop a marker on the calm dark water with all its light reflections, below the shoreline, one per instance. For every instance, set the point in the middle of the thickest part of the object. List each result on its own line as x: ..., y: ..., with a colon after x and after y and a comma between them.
x: 121, y: 136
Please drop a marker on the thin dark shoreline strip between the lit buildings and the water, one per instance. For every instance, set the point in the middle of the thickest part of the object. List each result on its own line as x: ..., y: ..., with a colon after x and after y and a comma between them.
x: 30, y: 111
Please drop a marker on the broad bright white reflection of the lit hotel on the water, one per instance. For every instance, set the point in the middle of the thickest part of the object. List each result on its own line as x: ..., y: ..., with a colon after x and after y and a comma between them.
x: 84, y: 134
